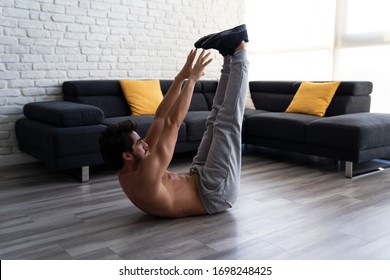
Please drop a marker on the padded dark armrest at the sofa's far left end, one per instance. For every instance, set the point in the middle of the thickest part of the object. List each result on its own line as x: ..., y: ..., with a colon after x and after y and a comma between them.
x: 63, y: 113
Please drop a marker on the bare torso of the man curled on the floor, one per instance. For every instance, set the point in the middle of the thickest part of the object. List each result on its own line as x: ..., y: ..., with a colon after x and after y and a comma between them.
x: 176, y: 195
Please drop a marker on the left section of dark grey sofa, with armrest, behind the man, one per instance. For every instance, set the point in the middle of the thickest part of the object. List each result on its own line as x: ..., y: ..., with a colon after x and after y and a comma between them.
x: 64, y: 134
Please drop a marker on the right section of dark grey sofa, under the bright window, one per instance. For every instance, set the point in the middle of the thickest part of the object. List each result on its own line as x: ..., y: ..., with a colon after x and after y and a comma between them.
x: 347, y: 132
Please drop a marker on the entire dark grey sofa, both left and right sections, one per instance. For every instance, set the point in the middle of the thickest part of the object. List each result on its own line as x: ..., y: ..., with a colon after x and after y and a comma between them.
x: 64, y: 134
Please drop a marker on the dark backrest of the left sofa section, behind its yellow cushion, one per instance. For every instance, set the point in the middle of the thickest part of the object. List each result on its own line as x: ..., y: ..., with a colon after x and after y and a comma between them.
x: 108, y: 95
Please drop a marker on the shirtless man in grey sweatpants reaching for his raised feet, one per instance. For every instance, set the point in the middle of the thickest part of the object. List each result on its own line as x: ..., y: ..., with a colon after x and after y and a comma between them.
x: 213, y: 181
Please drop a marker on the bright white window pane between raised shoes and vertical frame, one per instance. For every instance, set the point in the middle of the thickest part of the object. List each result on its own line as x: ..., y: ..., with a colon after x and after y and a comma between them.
x: 290, y: 40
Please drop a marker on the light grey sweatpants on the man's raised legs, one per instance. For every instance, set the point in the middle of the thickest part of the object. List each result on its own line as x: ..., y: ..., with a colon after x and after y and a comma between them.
x: 217, y: 165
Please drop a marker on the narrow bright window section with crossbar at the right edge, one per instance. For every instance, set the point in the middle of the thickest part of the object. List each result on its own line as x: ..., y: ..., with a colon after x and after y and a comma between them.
x: 363, y: 49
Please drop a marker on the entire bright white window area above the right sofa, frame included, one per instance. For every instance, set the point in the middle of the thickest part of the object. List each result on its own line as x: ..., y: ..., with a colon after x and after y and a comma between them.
x: 321, y: 40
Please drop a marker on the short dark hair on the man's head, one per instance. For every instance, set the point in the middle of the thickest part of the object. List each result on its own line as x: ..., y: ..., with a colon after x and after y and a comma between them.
x: 115, y: 140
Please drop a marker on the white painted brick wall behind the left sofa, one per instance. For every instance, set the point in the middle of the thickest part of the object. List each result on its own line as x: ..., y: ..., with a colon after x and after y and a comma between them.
x: 46, y: 42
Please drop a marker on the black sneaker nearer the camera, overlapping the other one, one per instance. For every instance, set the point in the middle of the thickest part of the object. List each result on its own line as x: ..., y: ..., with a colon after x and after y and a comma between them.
x: 227, y: 41
